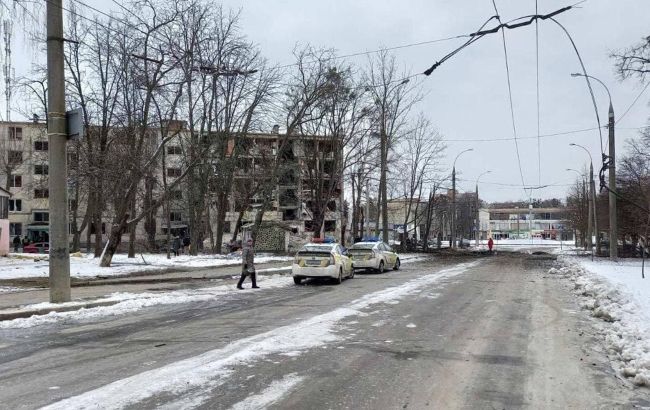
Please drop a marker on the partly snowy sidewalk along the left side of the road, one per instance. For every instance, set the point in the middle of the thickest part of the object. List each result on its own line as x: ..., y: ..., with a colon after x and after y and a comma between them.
x: 87, y: 292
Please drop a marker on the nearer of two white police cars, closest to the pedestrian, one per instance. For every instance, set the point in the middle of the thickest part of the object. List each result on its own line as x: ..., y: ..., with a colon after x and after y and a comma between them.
x: 318, y: 260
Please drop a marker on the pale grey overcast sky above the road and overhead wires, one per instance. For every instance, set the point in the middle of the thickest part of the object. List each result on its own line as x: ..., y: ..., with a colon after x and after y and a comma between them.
x: 467, y: 97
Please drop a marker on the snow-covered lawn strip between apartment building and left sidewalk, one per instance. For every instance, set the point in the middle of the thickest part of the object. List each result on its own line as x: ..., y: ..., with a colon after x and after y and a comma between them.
x: 29, y: 265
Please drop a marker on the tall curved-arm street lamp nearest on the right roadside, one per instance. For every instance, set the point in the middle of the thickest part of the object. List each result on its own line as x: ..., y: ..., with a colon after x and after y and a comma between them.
x: 611, y: 165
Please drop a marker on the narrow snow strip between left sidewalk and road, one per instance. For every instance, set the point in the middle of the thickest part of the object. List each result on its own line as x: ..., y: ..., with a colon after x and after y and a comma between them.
x: 131, y: 302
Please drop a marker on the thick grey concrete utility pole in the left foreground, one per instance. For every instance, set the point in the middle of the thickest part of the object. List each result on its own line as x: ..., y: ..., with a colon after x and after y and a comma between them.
x: 57, y: 135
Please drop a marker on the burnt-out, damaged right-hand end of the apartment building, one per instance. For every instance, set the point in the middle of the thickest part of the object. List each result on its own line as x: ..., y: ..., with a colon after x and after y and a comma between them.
x: 310, y: 166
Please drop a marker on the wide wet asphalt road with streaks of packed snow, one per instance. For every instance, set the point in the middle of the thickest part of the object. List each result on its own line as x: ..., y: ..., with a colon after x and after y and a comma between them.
x: 493, y: 332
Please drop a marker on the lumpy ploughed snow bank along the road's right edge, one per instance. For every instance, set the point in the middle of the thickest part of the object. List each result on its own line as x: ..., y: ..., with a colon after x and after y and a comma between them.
x: 626, y: 331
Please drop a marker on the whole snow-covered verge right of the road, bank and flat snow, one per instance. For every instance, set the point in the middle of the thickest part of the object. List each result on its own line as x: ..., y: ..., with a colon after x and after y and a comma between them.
x: 616, y: 293
